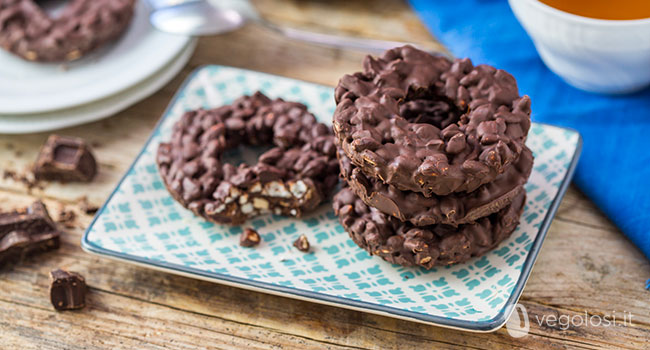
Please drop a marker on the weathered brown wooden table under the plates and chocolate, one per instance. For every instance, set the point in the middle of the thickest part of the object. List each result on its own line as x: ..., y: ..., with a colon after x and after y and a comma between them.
x: 586, y: 264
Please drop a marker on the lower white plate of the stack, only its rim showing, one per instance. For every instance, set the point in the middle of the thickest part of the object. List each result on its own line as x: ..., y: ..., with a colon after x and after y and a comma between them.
x: 29, y: 123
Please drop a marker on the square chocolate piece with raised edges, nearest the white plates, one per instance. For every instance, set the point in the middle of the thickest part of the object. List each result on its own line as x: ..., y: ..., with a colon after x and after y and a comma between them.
x: 65, y: 159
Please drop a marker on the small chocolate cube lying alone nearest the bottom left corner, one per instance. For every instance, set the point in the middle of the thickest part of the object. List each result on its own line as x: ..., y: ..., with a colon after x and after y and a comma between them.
x: 67, y: 290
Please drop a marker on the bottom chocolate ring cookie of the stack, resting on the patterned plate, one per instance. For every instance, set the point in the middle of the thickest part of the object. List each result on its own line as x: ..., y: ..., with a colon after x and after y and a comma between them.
x: 428, y: 246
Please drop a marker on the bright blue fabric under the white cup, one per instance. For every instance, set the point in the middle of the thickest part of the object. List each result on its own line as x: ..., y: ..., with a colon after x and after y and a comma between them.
x: 614, y: 170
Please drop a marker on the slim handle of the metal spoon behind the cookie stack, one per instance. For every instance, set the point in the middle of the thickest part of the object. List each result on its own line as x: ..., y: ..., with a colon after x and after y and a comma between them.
x: 344, y: 42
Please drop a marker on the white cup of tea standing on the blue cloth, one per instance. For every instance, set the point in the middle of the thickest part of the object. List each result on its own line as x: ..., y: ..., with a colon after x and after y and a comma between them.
x: 597, y: 55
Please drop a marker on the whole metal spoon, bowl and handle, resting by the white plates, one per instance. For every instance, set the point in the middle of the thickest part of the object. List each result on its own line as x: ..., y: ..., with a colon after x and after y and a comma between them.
x: 201, y: 17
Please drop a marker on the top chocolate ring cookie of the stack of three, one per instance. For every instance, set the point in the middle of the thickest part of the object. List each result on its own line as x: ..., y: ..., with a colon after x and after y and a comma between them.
x: 426, y: 124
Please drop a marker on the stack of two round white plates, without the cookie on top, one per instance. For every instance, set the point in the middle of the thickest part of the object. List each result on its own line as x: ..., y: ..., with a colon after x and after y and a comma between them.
x: 42, y: 96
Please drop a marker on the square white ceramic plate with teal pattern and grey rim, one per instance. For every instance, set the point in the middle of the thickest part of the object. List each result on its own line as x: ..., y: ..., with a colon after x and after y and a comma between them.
x: 141, y: 223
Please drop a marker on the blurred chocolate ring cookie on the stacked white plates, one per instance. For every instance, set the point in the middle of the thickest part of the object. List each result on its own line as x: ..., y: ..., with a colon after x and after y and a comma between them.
x: 83, y: 25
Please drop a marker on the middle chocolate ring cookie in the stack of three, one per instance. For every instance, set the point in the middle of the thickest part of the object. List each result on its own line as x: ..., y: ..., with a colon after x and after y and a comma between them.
x: 453, y: 209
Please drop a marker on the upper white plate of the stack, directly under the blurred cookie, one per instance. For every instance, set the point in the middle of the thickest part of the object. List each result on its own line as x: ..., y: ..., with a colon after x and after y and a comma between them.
x: 31, y: 87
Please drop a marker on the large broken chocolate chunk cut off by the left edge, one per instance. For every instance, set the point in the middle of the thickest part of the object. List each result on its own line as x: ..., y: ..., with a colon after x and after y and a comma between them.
x: 27, y: 232
